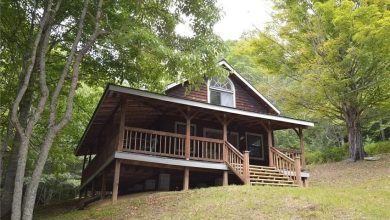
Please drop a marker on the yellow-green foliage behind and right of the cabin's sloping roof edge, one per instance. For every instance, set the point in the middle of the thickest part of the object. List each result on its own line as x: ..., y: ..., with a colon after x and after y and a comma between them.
x: 330, y: 58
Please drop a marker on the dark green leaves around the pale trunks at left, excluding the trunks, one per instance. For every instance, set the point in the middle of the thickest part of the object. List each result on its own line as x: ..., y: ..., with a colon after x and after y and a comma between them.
x: 140, y: 48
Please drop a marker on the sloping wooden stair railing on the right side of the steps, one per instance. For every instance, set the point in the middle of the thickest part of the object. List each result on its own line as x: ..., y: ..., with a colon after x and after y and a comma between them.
x: 288, y: 166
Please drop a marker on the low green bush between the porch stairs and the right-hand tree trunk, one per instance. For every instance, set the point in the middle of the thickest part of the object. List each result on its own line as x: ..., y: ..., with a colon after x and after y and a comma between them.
x: 330, y: 154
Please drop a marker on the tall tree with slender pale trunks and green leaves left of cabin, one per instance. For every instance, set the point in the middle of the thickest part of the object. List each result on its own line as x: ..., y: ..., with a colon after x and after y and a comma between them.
x: 127, y: 42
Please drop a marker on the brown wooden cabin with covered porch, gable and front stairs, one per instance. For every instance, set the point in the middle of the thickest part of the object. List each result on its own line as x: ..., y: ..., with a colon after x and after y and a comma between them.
x: 219, y: 134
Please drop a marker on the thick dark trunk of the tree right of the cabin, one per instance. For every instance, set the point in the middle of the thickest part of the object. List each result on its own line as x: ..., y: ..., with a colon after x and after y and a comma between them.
x: 352, y: 119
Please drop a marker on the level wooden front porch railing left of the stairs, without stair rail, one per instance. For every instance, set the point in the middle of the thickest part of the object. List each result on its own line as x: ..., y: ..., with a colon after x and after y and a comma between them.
x: 171, y: 144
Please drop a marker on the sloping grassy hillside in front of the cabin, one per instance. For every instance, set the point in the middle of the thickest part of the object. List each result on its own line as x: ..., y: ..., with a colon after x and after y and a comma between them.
x: 343, y: 190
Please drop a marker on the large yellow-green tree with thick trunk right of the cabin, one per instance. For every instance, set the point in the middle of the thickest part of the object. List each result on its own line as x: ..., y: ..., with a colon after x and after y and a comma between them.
x: 337, y: 52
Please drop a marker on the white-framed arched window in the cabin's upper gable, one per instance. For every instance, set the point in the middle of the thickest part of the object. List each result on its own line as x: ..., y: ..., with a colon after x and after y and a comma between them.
x: 221, y: 93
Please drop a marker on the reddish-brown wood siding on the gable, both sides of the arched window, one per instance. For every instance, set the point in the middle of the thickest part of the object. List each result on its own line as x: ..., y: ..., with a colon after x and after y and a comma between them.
x: 245, y: 98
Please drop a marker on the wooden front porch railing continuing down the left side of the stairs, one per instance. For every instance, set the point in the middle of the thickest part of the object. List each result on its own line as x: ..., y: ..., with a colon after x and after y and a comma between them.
x: 168, y: 144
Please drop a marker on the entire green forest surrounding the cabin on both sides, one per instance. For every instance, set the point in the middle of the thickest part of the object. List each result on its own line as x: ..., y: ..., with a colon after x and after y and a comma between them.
x: 320, y: 60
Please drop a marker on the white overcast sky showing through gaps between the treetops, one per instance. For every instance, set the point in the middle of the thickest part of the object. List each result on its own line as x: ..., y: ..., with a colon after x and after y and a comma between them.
x: 238, y: 17
